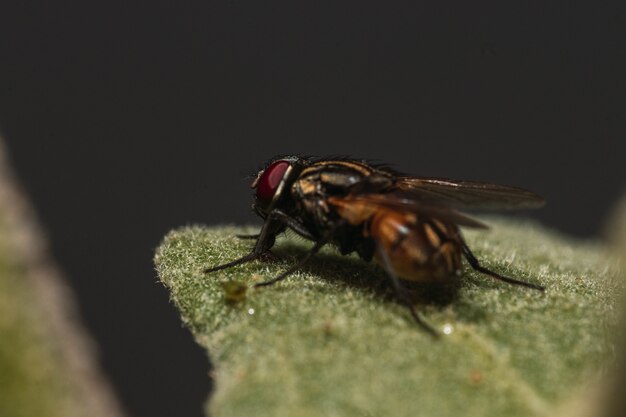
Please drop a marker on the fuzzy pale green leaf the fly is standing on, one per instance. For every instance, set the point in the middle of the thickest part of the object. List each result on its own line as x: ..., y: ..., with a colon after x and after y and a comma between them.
x: 331, y: 340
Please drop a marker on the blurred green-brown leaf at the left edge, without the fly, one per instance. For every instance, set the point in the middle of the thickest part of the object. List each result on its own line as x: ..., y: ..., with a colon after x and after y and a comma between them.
x: 48, y: 363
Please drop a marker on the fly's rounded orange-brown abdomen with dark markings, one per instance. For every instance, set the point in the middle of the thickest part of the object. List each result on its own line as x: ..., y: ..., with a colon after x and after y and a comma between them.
x: 419, y: 249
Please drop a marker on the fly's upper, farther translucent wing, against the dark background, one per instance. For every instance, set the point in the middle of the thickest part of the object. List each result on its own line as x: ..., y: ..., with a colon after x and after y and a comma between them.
x: 467, y: 194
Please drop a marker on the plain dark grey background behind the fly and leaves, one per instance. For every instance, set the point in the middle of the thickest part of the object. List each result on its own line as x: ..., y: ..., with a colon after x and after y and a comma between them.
x: 125, y: 120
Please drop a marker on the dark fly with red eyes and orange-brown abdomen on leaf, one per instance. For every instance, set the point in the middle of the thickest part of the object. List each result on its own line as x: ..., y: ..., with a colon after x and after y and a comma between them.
x: 409, y: 225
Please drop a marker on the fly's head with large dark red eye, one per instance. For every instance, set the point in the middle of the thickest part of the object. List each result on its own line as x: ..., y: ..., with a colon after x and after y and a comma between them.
x: 273, y: 182
